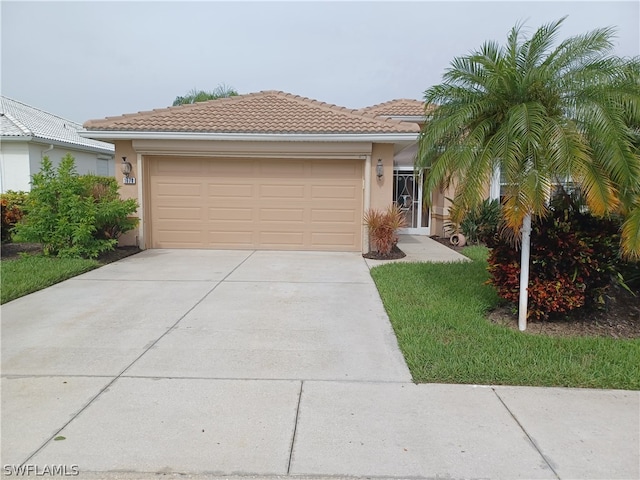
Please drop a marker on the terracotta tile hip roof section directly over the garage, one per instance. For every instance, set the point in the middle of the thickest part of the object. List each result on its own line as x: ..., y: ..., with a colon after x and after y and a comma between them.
x: 267, y: 112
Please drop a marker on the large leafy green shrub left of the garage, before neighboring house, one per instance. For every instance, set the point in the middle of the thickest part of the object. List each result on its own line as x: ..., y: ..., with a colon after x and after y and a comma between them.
x: 70, y: 215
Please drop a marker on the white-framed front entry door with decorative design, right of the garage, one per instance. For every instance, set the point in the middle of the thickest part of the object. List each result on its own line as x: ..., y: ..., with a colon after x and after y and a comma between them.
x: 407, y: 194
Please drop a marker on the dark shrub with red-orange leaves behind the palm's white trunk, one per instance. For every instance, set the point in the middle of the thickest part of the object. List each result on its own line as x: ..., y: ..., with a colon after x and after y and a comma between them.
x: 574, y: 259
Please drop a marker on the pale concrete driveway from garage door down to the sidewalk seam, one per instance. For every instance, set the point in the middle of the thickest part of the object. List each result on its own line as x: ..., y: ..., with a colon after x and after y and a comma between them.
x: 208, y: 314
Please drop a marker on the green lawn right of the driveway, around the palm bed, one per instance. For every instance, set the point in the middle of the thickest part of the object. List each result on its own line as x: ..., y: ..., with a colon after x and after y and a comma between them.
x: 438, y: 314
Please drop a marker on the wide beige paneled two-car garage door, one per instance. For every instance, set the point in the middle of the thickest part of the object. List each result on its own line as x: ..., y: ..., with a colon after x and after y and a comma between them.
x: 255, y: 203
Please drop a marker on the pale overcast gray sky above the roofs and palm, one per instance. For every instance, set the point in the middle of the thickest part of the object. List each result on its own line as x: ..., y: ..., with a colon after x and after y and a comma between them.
x: 84, y: 60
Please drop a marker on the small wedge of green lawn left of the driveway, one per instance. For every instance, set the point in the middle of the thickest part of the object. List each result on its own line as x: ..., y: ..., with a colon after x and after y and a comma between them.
x: 31, y: 273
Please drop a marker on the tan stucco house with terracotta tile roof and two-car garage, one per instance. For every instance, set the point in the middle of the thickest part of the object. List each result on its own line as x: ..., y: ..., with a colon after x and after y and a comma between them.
x: 266, y: 170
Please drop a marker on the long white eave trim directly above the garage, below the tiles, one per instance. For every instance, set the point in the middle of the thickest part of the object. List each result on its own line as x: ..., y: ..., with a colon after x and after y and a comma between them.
x: 242, y: 137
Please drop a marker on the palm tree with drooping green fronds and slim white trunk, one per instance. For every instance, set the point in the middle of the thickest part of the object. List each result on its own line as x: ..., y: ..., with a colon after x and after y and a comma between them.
x: 538, y: 114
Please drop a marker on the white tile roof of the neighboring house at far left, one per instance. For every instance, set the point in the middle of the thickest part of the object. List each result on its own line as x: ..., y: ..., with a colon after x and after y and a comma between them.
x: 20, y: 120
